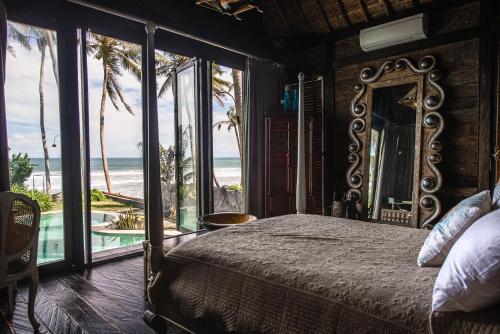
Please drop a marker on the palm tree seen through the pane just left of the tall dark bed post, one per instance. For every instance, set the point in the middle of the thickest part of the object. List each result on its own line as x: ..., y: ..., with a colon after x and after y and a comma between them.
x: 114, y: 56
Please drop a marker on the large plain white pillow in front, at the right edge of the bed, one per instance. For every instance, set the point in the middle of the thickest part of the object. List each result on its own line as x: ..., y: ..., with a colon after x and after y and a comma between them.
x: 470, y: 277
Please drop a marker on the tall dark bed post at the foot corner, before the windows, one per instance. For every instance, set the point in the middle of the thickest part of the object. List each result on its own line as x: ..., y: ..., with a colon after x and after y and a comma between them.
x: 155, y: 209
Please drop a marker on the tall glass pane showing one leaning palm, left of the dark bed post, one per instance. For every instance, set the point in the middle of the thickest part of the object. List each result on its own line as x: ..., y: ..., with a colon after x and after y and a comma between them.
x: 115, y: 136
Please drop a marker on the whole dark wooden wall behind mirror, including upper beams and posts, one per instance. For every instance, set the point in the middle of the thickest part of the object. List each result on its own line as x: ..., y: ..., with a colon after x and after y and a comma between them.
x: 457, y: 41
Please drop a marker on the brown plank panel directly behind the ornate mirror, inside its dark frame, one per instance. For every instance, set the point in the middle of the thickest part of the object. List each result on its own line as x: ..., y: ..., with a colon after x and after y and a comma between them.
x: 461, y: 138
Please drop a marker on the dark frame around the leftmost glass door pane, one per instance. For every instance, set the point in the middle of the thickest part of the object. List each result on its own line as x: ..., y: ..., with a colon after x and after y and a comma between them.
x: 68, y: 123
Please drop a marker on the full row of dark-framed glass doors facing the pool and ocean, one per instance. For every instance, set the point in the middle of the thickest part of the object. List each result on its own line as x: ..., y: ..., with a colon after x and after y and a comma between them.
x: 60, y: 79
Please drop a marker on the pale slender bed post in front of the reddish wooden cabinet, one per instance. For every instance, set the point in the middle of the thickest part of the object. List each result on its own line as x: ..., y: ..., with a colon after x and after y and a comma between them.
x: 300, y: 192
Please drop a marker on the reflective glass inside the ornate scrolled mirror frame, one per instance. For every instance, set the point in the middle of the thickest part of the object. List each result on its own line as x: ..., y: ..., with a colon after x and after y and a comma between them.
x: 392, y: 153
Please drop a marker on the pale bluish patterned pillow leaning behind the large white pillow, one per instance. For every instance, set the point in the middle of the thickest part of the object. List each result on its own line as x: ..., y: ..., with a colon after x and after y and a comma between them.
x: 450, y: 228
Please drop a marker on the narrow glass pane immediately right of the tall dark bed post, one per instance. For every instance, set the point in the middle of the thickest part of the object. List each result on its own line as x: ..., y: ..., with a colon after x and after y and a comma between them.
x: 166, y: 65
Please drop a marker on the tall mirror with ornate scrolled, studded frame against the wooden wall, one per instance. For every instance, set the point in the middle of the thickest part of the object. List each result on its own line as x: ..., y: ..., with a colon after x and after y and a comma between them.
x: 393, y: 175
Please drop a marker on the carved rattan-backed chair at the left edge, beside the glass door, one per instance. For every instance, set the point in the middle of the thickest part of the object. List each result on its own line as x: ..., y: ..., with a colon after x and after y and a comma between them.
x: 19, y: 228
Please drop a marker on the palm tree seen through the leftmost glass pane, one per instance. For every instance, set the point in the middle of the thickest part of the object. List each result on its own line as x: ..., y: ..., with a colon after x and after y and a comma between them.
x: 23, y: 34
